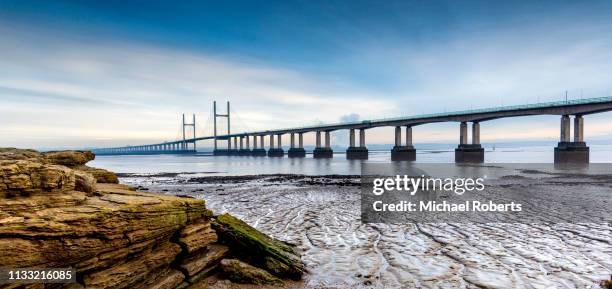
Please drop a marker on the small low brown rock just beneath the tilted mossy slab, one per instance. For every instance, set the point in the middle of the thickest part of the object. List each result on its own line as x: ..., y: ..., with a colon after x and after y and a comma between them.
x: 240, y: 272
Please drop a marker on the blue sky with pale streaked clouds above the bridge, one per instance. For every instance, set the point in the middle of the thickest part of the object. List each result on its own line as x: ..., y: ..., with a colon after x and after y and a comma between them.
x: 77, y: 74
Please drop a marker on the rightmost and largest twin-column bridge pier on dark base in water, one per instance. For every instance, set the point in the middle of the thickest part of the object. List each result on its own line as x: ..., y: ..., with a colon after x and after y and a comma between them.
x: 572, y: 151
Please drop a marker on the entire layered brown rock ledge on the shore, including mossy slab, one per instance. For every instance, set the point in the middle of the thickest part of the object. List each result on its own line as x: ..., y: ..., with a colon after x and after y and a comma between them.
x: 57, y: 212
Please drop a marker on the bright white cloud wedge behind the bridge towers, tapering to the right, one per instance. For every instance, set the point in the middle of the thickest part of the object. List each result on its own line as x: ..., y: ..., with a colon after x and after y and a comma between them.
x: 118, y: 93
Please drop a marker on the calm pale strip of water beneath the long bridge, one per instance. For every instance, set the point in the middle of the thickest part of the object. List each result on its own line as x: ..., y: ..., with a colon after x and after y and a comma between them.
x: 235, y: 165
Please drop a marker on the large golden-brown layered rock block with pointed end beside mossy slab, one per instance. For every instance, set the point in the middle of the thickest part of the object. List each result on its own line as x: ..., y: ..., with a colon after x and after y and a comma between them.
x: 90, y: 229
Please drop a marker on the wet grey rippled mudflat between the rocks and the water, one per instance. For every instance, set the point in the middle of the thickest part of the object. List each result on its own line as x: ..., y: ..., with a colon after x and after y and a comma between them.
x: 321, y: 216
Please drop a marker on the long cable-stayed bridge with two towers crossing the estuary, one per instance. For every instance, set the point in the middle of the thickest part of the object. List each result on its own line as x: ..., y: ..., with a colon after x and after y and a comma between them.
x: 571, y: 148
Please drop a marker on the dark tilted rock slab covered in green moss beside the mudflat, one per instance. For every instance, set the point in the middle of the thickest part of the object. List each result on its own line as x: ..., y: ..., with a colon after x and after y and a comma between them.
x: 278, y: 257
